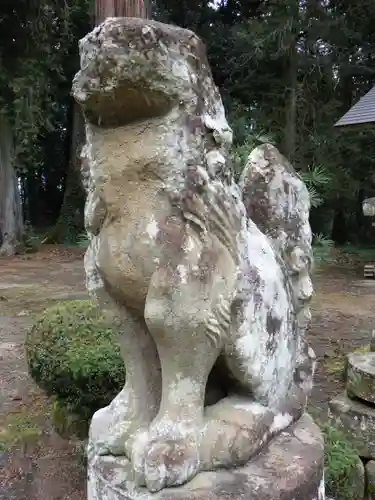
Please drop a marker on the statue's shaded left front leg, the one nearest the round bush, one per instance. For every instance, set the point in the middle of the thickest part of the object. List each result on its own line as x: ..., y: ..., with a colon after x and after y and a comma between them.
x: 113, y: 427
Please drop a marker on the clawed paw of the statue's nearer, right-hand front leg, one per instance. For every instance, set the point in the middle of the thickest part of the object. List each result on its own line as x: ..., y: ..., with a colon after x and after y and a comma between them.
x: 170, y: 463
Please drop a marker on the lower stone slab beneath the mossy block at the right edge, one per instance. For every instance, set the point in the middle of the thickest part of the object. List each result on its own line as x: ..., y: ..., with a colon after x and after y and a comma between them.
x: 357, y: 421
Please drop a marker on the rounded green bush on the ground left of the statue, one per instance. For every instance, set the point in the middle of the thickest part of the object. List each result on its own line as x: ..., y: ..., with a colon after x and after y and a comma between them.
x: 73, y: 355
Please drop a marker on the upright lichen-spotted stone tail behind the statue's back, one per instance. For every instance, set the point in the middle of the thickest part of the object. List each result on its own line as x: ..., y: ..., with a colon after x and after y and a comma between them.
x: 278, y: 201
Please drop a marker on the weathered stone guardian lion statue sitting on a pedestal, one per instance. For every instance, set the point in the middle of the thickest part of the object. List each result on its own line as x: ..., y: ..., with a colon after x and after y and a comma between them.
x: 208, y: 281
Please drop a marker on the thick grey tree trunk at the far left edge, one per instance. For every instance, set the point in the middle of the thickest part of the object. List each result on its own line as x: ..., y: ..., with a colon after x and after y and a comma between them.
x: 11, y: 220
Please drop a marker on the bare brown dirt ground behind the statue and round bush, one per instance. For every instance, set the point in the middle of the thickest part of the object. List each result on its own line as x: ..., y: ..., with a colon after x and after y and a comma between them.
x: 37, y: 464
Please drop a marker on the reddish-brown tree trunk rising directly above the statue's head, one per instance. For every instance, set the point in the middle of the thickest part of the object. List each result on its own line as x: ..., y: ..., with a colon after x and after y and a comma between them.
x: 122, y: 8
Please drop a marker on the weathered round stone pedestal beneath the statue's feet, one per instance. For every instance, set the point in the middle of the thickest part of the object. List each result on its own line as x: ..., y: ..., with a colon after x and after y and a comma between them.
x: 290, y: 468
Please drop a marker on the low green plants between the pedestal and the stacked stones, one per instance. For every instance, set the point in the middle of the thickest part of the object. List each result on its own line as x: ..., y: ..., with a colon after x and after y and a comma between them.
x: 341, y: 465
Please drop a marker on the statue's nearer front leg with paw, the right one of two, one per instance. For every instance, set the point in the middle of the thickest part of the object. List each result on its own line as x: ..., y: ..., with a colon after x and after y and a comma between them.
x: 179, y: 316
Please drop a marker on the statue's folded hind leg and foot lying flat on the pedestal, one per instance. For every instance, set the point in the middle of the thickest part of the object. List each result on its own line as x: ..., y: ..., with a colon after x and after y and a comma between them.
x: 239, y: 426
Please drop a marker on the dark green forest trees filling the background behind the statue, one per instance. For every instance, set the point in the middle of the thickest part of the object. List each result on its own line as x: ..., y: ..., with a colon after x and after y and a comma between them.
x: 287, y: 70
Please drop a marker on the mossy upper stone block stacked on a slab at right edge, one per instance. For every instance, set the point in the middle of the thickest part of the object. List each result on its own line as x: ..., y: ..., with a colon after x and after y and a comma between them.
x: 361, y: 376
